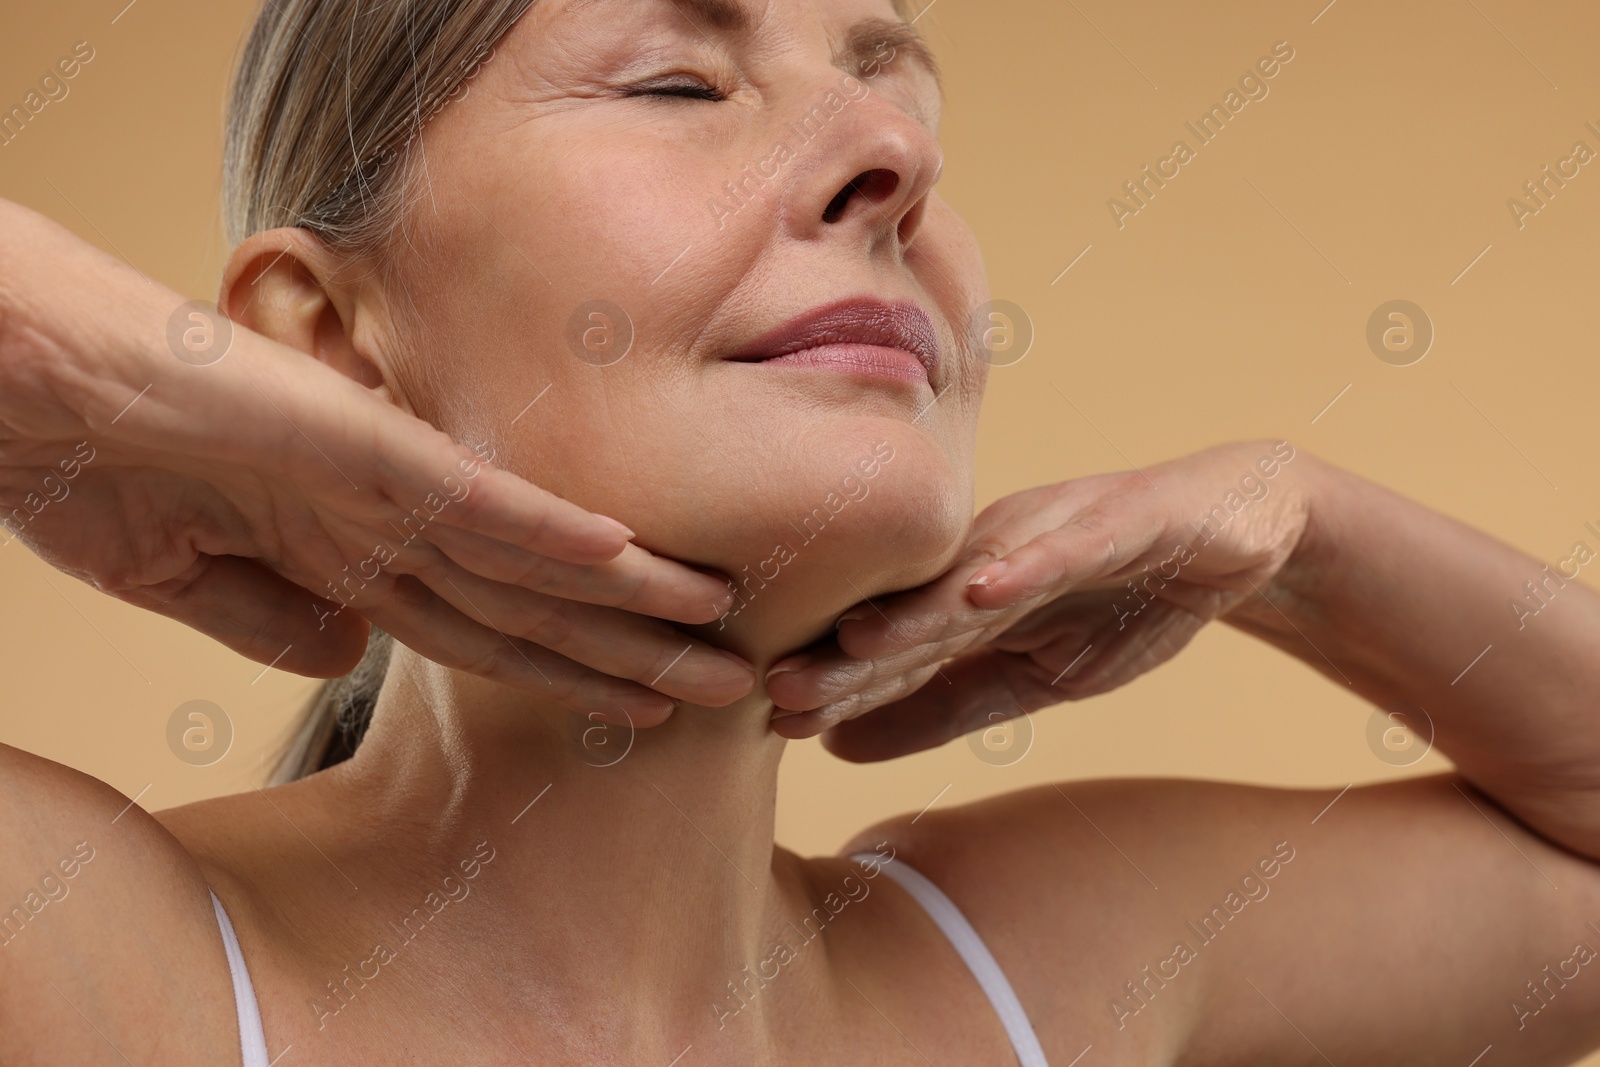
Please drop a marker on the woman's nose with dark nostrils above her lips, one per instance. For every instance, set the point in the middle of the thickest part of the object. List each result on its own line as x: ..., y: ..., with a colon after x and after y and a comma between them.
x: 866, y: 175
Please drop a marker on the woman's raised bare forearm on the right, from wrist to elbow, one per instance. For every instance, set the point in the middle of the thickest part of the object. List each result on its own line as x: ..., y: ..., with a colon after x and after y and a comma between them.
x: 1415, y: 610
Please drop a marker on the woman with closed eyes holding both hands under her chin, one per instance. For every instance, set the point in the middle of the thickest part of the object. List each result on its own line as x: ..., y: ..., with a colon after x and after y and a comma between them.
x: 681, y: 263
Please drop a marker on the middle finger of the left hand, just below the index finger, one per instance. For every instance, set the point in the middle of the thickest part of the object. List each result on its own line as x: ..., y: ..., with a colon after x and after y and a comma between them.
x: 636, y: 580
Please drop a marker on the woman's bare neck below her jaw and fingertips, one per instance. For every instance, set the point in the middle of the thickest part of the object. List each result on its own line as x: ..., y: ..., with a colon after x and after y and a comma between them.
x: 626, y: 868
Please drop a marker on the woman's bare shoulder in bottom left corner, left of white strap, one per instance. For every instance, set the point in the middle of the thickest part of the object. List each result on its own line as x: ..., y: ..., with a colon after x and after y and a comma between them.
x: 106, y: 927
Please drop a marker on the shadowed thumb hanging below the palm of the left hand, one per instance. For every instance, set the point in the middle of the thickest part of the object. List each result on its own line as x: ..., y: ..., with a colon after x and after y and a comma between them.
x: 260, y: 615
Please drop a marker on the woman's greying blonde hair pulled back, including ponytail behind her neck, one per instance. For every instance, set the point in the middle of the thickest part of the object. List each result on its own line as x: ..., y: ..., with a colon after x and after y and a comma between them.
x: 322, y: 134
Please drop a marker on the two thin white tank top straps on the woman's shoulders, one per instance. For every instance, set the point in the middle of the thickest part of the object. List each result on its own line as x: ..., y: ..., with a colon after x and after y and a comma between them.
x: 940, y: 908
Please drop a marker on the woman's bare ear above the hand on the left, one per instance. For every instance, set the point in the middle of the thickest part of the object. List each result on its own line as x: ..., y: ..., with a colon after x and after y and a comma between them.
x: 287, y: 286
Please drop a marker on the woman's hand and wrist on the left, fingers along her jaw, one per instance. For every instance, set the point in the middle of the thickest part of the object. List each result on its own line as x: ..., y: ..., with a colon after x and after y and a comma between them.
x: 279, y: 508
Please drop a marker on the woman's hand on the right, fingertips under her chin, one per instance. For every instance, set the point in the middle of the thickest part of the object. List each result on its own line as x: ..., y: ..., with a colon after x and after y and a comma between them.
x: 1065, y: 593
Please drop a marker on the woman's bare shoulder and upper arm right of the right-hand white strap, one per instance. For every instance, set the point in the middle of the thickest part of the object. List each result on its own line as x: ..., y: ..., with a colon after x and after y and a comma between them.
x: 1209, y: 924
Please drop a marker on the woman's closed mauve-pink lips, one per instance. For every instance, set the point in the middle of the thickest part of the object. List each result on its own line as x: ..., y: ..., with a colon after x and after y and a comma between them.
x: 863, y: 335
